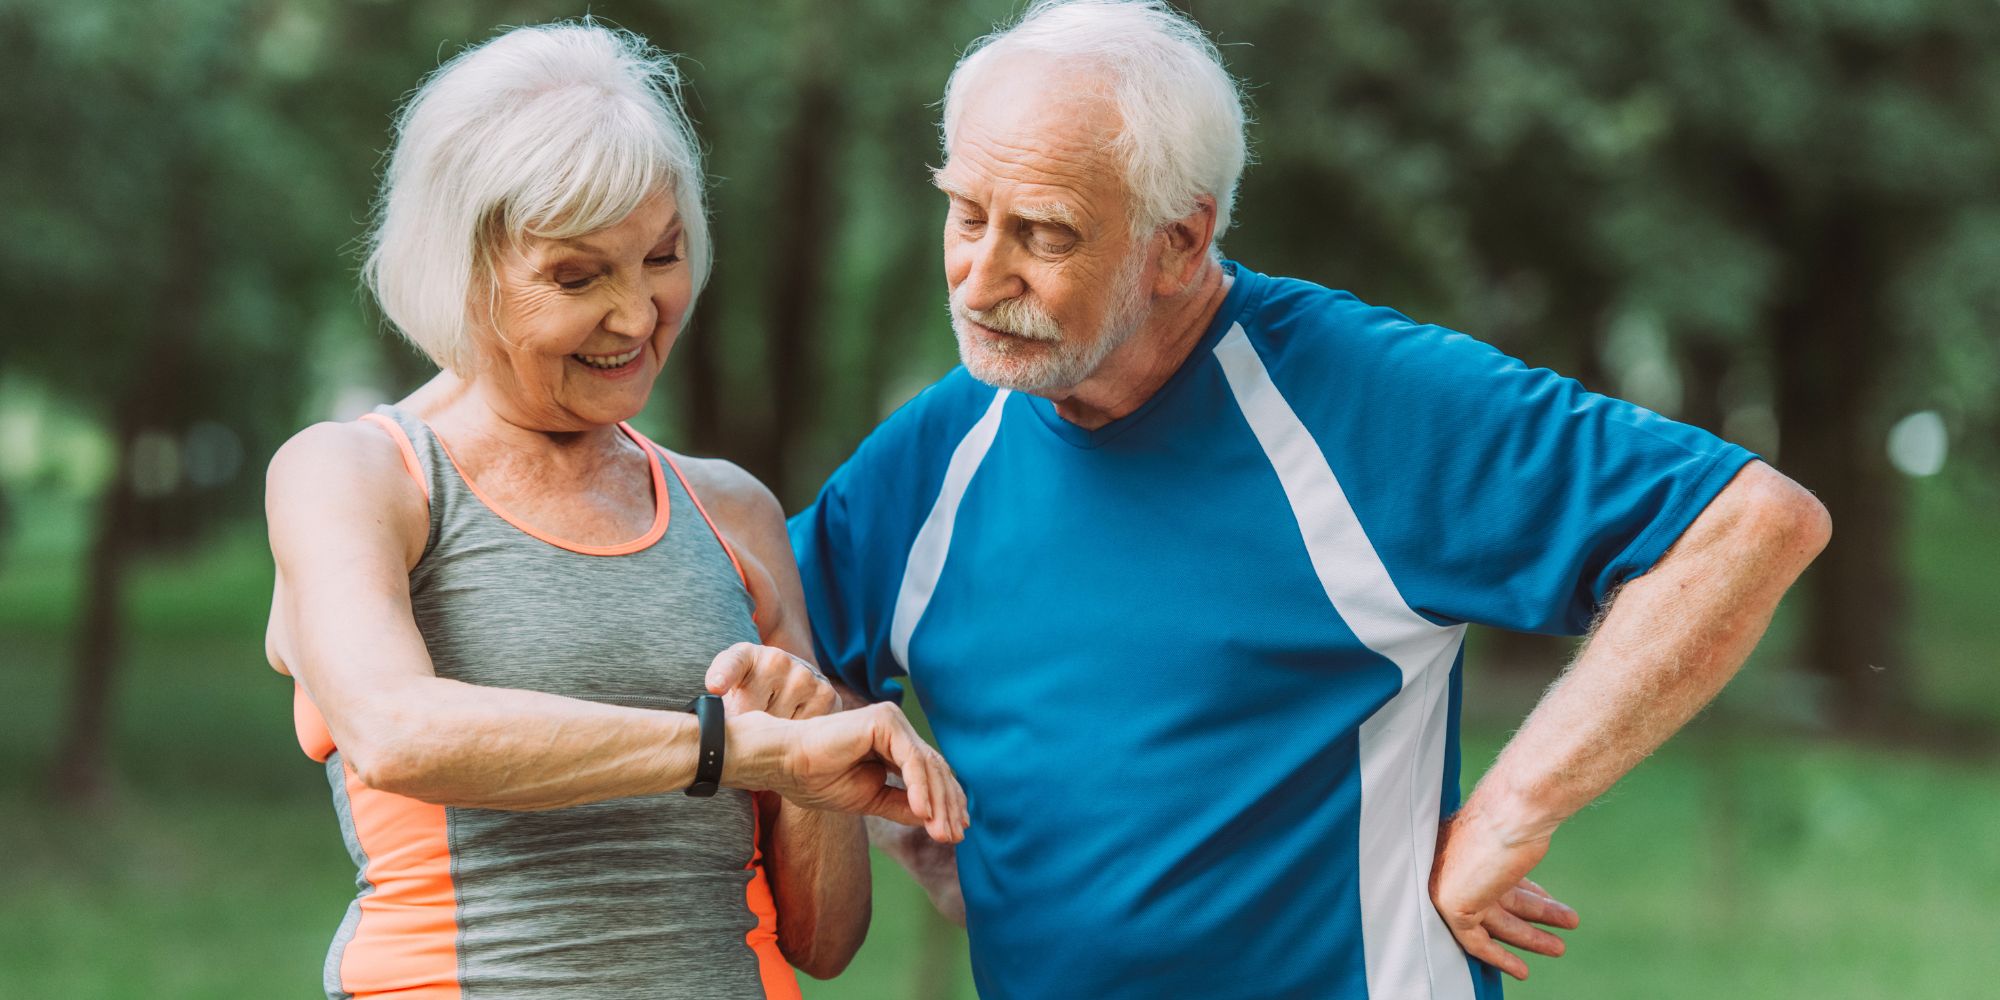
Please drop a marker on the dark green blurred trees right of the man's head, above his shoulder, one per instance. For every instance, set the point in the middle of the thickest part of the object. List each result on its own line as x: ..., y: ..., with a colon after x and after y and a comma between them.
x: 1717, y: 209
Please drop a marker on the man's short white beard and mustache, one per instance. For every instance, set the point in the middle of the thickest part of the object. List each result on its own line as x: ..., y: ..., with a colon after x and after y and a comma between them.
x: 1047, y: 361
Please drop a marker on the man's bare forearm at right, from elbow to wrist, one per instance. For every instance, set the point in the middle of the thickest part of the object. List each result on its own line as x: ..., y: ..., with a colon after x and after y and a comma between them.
x: 1669, y: 643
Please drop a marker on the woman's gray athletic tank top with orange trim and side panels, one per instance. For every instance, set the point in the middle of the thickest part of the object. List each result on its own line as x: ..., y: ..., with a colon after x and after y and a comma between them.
x: 649, y: 897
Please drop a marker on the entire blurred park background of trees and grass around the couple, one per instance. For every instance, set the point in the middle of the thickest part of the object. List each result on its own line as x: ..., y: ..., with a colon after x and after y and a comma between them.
x: 1775, y: 219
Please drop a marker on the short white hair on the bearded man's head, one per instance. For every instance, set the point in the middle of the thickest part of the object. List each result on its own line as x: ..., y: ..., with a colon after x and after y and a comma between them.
x: 1181, y: 115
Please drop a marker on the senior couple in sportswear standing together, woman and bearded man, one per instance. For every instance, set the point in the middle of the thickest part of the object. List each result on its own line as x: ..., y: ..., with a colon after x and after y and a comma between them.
x: 1181, y: 563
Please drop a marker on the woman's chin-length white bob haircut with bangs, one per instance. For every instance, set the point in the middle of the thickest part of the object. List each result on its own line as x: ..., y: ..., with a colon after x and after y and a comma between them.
x: 547, y: 131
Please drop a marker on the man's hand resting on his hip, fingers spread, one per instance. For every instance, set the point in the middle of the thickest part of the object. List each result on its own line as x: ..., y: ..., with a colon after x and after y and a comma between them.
x: 1481, y: 887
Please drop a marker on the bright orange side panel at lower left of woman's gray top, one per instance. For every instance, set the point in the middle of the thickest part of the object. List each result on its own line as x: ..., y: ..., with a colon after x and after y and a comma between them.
x: 407, y: 941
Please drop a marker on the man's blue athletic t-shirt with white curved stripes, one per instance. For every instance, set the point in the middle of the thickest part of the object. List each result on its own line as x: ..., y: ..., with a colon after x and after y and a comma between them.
x: 1199, y: 669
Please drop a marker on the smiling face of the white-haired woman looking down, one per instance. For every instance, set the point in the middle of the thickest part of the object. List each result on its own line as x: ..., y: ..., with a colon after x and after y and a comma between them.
x: 581, y: 327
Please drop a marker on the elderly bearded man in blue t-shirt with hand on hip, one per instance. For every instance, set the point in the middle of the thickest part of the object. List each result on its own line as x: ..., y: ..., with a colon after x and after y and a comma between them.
x: 1183, y: 559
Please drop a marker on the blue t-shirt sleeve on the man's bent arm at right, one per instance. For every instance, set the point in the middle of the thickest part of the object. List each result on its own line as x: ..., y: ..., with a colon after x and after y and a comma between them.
x: 1497, y: 493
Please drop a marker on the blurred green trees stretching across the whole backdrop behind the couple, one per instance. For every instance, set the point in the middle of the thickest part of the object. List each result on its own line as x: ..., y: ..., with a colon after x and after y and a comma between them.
x: 1767, y: 217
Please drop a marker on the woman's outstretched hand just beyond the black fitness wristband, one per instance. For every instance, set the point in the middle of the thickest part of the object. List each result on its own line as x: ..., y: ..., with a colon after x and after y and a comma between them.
x: 843, y: 763
